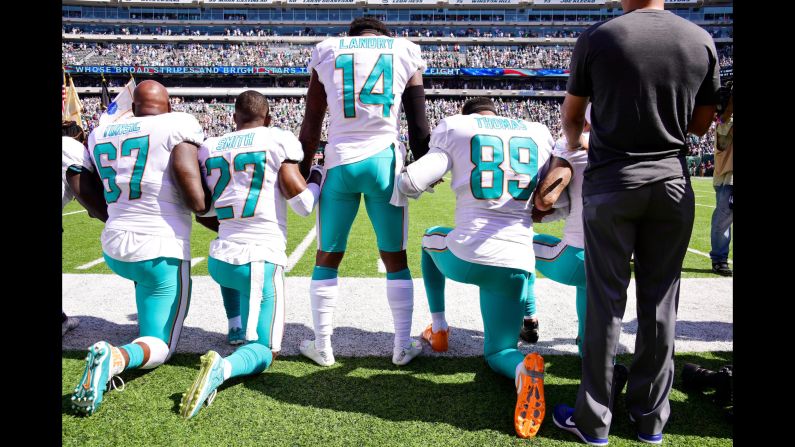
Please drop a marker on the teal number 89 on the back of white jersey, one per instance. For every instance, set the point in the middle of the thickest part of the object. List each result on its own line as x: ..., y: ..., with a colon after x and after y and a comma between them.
x: 520, y: 164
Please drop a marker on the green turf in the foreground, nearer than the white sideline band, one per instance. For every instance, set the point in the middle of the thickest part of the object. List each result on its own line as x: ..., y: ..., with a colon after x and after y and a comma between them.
x: 364, y: 401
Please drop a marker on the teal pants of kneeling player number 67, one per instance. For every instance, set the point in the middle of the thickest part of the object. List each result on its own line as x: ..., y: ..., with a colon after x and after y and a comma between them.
x: 162, y: 295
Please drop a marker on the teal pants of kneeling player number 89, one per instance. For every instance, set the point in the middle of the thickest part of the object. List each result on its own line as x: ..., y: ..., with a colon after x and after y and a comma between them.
x: 502, y: 295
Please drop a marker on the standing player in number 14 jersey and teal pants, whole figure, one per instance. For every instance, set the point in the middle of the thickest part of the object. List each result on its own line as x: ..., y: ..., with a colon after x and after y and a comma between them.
x: 363, y: 79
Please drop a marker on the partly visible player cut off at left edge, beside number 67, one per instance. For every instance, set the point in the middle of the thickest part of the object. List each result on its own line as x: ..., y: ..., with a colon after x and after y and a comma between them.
x: 77, y: 181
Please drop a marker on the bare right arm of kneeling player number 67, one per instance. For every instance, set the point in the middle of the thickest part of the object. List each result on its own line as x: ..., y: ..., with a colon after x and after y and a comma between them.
x: 187, y: 173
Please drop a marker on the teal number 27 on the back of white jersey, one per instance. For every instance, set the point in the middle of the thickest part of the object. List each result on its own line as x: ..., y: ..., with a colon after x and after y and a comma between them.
x: 241, y: 161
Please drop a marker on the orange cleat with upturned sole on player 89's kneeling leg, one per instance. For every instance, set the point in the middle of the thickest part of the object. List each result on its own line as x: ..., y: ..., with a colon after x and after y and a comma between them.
x: 530, y: 405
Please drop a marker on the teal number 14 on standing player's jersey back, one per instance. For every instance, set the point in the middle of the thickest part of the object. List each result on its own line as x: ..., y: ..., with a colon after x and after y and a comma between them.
x: 382, y: 67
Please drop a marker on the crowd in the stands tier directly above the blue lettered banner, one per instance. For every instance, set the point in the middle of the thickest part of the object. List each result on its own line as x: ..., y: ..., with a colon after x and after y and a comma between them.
x: 286, y: 55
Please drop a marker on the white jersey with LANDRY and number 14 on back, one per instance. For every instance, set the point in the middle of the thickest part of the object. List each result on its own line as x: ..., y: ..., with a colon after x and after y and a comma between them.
x: 364, y: 78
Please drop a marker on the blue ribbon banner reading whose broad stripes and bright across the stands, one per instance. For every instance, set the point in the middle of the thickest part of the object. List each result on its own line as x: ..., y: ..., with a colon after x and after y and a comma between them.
x: 267, y: 70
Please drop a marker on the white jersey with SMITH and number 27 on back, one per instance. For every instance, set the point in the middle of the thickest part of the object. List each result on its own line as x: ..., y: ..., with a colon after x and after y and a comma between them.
x: 241, y: 169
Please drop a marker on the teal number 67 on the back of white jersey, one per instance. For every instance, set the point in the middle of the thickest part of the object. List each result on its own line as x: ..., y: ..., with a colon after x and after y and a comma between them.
x: 140, y: 144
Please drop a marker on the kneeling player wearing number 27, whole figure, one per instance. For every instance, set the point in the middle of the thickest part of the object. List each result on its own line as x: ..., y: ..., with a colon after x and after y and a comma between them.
x: 253, y: 173
